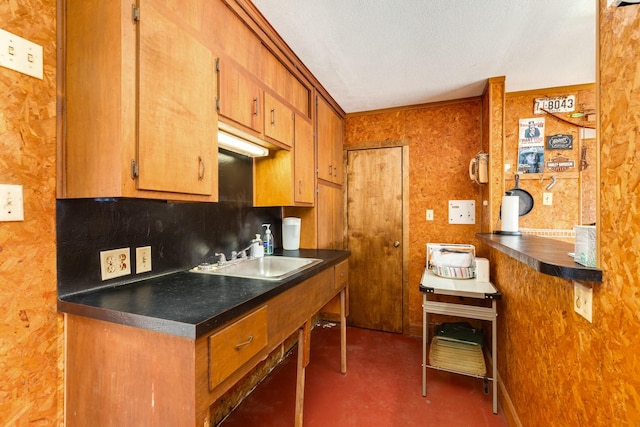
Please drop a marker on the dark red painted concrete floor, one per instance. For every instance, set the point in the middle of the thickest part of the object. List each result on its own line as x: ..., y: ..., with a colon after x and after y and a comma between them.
x: 382, y: 387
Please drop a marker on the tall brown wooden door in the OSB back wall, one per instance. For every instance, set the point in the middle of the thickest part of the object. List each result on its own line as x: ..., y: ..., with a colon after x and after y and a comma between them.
x: 374, y: 232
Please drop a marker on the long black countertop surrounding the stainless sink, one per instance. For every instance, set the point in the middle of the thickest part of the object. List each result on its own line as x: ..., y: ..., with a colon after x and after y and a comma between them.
x: 189, y: 304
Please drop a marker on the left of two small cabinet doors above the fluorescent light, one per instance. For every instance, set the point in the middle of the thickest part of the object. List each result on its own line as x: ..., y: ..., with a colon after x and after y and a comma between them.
x: 240, y: 97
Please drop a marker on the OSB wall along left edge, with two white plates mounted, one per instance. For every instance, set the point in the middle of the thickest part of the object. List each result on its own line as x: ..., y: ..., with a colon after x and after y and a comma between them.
x: 30, y: 328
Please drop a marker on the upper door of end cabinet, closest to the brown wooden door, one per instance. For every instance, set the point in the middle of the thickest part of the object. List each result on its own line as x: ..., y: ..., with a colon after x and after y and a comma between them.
x: 330, y: 140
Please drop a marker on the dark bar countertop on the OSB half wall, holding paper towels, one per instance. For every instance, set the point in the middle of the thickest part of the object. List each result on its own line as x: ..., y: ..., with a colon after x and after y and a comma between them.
x: 546, y: 255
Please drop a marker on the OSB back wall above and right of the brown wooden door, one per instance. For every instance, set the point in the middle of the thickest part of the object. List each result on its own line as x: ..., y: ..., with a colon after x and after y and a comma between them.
x: 442, y: 139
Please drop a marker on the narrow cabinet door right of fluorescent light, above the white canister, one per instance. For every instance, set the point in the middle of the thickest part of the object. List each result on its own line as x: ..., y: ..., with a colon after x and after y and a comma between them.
x: 304, y: 185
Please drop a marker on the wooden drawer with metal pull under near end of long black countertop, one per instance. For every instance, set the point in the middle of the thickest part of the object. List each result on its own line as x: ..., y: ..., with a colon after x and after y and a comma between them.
x: 236, y: 344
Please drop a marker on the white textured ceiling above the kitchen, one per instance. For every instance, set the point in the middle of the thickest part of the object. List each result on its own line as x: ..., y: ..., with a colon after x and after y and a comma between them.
x: 375, y: 54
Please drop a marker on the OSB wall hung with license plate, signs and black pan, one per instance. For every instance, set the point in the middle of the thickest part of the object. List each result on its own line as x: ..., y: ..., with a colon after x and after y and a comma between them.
x: 564, y: 213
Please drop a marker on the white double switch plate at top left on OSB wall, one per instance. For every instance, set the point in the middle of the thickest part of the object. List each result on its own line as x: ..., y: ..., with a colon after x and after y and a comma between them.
x: 20, y: 54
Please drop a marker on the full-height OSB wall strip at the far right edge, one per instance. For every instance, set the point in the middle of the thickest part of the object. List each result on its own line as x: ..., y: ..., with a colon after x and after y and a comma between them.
x: 617, y: 302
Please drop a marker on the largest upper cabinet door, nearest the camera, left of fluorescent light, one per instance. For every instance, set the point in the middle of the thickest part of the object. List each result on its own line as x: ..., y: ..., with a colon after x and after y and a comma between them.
x: 177, y: 142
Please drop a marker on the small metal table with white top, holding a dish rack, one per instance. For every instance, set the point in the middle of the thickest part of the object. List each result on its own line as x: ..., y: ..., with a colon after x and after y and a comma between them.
x: 470, y: 288
